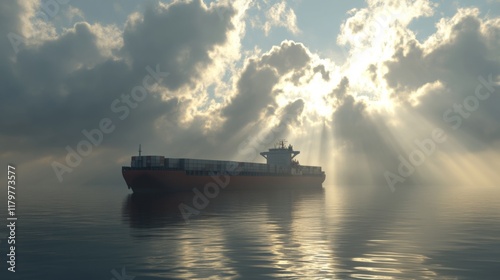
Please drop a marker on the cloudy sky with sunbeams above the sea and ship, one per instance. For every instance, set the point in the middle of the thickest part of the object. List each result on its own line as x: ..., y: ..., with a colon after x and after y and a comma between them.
x: 386, y: 94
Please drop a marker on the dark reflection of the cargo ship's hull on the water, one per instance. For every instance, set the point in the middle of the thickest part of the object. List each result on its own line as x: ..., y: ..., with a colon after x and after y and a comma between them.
x: 162, y: 210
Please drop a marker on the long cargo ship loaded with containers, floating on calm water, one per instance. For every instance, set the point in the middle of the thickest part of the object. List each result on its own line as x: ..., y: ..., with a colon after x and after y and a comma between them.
x: 158, y: 174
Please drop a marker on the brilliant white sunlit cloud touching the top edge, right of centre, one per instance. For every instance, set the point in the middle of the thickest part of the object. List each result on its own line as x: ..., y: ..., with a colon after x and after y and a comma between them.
x: 370, y: 36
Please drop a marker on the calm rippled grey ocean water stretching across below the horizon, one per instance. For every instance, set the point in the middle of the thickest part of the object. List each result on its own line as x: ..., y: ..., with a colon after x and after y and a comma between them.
x: 105, y: 232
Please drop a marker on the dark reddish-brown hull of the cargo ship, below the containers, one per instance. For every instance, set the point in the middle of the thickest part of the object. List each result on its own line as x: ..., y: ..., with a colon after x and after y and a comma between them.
x: 164, y: 180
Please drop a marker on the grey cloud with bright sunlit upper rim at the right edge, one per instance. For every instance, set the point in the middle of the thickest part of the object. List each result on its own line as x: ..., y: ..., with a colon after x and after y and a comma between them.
x: 465, y: 36
